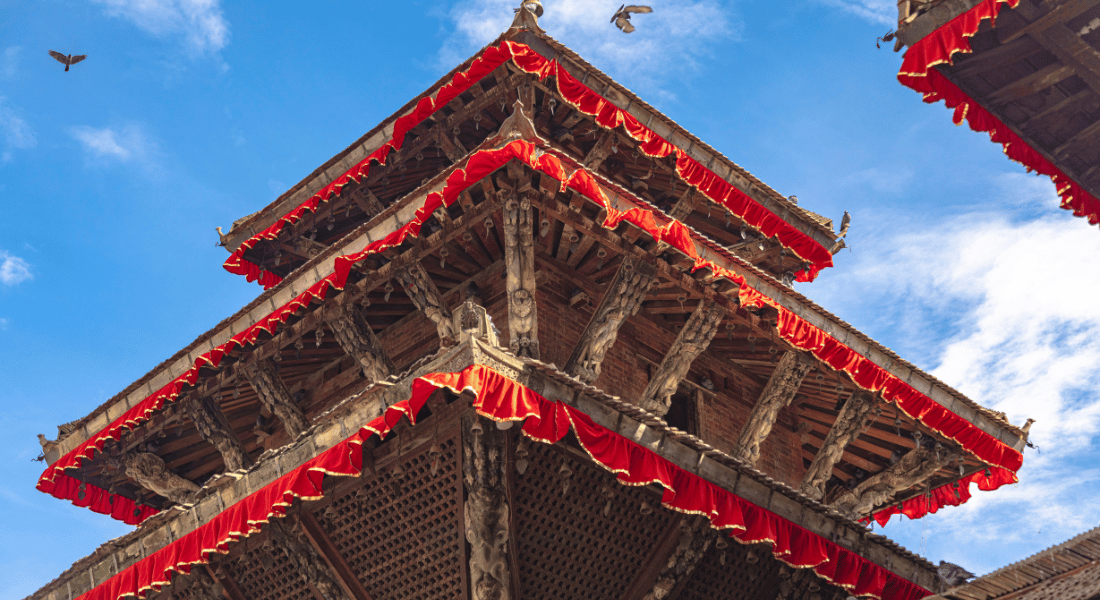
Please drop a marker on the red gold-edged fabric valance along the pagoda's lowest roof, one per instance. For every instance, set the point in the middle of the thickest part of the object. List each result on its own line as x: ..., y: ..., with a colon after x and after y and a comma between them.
x: 503, y: 400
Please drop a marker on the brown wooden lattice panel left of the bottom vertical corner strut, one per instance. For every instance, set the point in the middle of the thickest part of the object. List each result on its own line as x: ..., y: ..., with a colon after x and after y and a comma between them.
x: 403, y: 539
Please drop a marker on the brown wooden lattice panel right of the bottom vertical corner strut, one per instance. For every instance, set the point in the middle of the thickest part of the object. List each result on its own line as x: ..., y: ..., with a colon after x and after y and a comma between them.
x: 568, y: 548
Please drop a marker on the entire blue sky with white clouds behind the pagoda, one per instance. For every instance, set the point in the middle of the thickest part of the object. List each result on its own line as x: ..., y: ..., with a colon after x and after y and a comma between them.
x: 190, y: 114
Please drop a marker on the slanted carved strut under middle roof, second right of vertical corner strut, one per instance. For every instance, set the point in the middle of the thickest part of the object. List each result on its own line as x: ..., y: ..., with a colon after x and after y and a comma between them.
x: 690, y: 344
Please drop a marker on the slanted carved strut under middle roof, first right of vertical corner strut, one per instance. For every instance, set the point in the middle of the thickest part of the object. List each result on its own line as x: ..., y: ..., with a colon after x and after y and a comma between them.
x: 620, y: 303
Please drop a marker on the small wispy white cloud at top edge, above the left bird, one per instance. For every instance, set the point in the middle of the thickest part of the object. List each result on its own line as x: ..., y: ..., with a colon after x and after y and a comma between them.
x: 201, y: 24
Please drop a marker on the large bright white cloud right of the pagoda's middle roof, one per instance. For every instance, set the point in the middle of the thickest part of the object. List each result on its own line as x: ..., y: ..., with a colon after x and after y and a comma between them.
x: 1003, y: 304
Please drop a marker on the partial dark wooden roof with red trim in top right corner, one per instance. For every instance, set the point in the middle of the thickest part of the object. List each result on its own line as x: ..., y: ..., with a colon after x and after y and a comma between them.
x: 1025, y: 72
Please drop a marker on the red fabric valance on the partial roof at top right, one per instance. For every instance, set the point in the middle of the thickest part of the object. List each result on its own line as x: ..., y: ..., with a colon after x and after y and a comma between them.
x: 919, y: 73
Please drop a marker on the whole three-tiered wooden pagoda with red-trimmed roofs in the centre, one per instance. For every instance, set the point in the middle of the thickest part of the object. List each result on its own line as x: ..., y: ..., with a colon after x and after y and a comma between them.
x: 527, y: 339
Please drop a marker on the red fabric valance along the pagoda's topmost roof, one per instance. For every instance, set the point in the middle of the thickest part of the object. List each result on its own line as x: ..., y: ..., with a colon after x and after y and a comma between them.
x: 607, y: 115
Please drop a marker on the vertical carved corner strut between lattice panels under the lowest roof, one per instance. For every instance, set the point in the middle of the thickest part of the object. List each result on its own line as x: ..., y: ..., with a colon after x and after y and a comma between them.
x: 487, y: 509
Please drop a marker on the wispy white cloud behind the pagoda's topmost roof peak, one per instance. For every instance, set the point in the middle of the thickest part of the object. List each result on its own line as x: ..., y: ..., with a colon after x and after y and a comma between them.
x: 665, y: 47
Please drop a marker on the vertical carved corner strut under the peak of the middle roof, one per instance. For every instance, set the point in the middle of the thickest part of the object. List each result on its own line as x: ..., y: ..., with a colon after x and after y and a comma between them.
x: 520, y: 260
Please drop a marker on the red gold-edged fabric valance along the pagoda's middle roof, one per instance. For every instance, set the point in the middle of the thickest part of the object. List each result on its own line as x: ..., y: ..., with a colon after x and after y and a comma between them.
x: 663, y: 228
